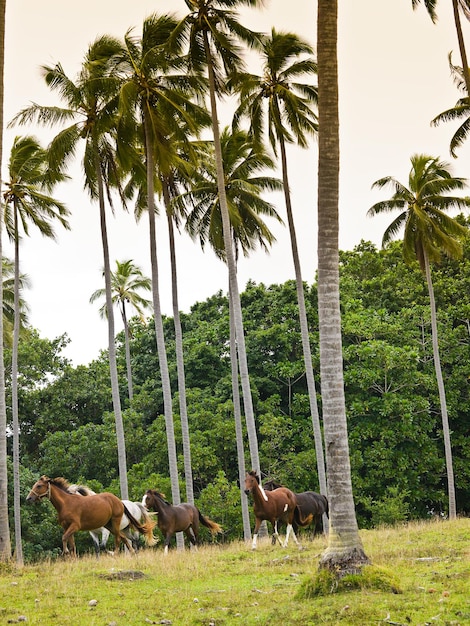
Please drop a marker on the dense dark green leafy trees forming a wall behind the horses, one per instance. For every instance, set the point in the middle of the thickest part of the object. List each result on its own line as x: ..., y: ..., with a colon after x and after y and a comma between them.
x: 397, y: 456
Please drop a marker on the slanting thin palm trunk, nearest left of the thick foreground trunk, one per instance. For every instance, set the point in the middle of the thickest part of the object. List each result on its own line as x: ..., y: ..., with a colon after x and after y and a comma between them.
x: 312, y: 394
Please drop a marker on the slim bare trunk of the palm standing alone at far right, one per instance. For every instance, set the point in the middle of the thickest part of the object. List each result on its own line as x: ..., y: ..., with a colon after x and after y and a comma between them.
x: 442, y: 393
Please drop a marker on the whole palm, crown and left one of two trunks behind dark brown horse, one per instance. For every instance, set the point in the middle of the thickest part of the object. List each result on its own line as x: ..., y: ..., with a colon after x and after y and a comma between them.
x: 157, y: 99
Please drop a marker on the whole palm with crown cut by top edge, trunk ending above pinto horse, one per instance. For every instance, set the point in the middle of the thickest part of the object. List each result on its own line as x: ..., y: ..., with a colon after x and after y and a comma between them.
x: 211, y: 27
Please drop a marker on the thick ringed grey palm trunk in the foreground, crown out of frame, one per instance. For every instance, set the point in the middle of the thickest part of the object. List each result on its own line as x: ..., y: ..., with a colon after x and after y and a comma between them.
x: 344, y: 552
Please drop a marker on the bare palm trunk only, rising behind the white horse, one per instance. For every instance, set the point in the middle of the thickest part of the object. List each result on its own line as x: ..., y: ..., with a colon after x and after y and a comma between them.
x: 121, y: 443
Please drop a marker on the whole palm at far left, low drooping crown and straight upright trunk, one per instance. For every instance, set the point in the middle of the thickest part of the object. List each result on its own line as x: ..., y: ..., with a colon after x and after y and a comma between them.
x: 26, y: 202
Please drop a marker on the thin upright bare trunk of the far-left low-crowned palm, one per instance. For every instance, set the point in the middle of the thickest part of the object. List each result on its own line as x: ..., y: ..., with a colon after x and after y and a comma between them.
x: 14, y: 400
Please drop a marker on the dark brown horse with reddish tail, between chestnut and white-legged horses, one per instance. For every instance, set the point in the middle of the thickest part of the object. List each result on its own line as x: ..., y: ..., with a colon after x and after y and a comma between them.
x: 172, y: 519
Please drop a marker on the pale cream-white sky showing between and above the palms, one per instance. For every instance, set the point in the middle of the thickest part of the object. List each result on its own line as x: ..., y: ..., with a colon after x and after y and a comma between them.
x: 394, y: 78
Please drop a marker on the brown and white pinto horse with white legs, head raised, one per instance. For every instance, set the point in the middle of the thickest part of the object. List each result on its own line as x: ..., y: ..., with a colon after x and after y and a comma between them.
x: 277, y: 505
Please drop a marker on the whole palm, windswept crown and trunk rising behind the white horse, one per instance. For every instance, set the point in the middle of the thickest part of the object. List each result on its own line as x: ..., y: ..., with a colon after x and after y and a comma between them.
x: 91, y: 106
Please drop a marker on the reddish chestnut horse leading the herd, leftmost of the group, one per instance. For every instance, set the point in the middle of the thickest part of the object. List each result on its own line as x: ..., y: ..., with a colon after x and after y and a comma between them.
x: 78, y: 513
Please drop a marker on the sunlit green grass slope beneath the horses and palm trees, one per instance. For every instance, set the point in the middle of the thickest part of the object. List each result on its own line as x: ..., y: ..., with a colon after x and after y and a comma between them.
x: 428, y: 564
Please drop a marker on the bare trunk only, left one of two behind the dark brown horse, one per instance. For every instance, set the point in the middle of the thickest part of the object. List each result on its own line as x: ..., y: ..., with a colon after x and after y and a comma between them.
x: 160, y: 339
